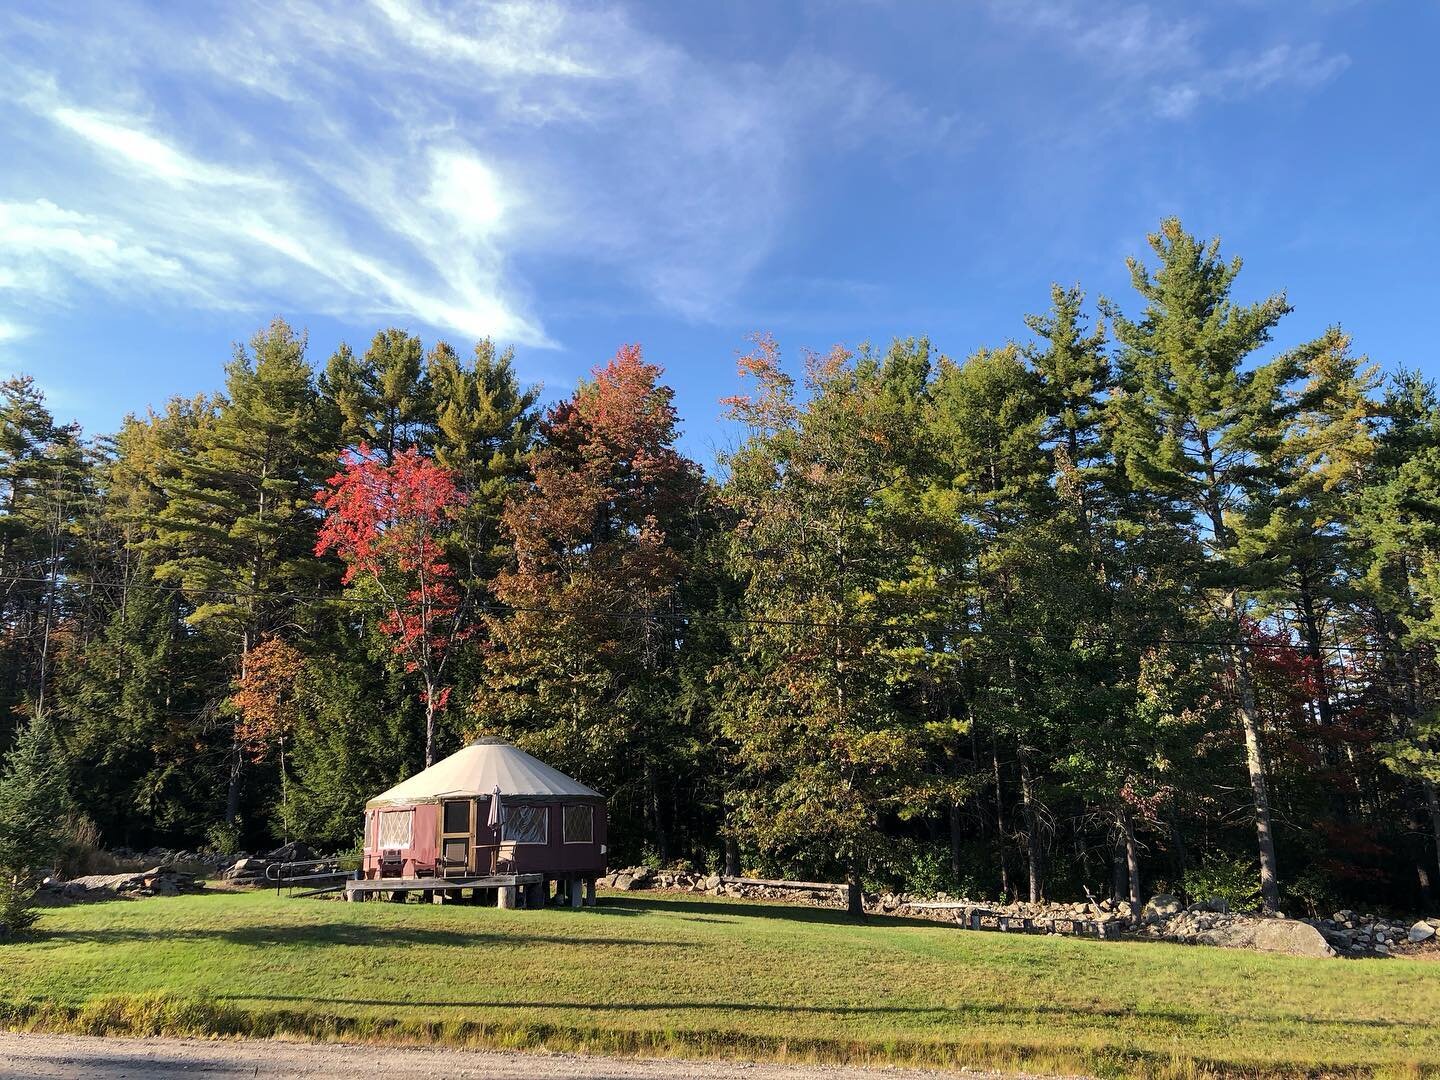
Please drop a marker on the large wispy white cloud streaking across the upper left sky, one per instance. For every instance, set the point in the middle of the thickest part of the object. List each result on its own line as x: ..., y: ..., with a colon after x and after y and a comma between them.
x: 401, y: 161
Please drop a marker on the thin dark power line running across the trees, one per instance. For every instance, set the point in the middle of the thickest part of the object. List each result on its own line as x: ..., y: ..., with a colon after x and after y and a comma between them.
x: 692, y: 617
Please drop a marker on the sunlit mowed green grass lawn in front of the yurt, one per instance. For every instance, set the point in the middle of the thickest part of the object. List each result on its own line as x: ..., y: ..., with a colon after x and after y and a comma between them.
x: 670, y: 976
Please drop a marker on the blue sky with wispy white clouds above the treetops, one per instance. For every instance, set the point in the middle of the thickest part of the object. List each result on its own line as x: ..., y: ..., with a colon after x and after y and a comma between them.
x: 570, y: 178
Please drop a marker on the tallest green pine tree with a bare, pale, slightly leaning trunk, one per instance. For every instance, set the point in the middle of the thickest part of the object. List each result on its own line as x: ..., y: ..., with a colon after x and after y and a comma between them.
x: 1203, y: 428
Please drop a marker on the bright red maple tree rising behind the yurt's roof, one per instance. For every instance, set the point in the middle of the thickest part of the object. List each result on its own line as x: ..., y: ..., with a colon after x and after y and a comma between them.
x: 387, y: 523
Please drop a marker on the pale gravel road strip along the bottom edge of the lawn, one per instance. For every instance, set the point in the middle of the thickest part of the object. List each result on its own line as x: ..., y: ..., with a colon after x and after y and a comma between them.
x: 87, y: 1058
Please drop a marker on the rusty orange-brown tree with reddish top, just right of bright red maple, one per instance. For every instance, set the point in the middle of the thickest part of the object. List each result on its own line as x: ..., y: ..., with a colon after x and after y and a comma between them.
x: 581, y: 662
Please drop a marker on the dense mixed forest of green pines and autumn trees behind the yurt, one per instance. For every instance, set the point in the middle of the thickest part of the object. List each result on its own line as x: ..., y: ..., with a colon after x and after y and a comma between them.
x: 1146, y: 603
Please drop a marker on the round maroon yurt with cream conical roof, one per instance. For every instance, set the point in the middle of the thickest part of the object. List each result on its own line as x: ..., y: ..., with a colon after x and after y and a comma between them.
x: 441, y: 823
